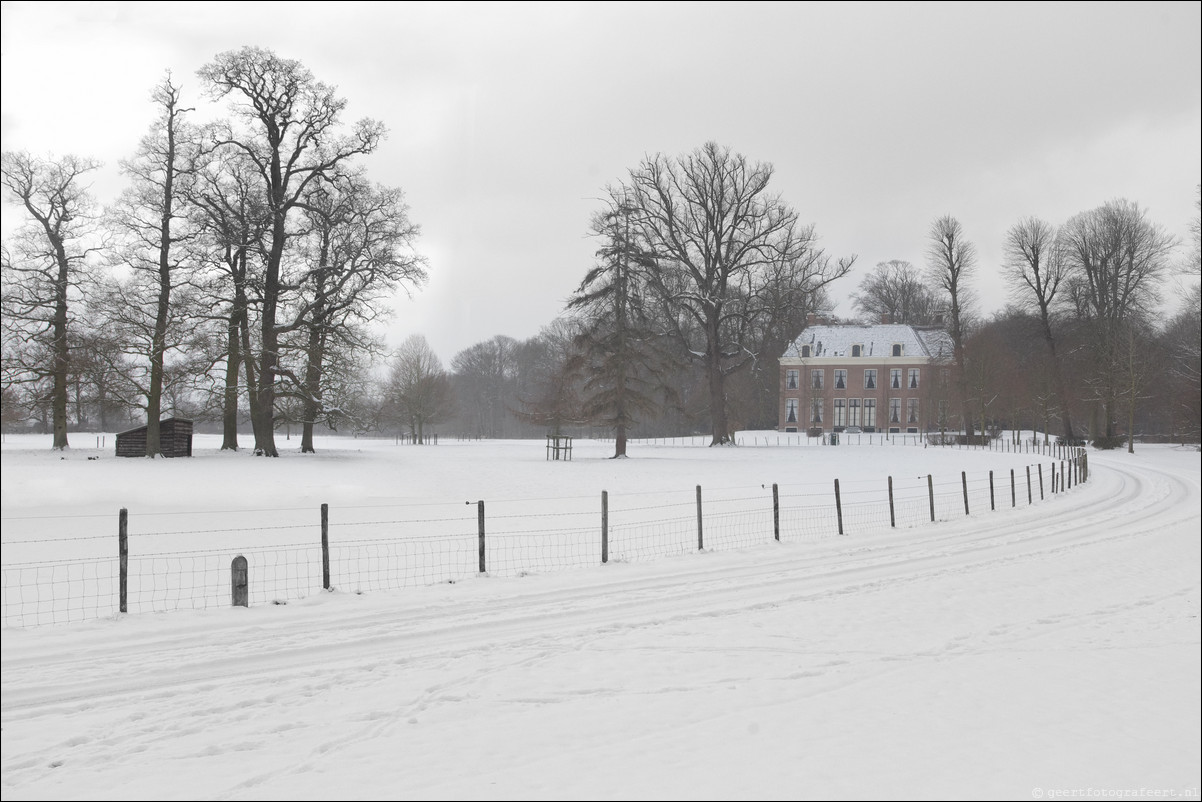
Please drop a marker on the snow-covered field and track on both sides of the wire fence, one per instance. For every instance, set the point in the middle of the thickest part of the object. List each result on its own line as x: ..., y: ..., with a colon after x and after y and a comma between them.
x: 1032, y: 652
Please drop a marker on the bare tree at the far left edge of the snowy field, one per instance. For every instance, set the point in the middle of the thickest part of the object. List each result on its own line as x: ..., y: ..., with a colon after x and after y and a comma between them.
x: 44, y: 268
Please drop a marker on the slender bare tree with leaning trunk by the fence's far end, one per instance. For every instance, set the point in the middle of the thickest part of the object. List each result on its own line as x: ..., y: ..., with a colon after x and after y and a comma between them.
x: 1036, y: 270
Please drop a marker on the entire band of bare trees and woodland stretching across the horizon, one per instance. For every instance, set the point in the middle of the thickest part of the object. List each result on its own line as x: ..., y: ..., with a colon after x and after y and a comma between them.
x: 241, y: 276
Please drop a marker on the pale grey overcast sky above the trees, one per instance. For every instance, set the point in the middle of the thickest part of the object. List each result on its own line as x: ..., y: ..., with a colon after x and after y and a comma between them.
x: 508, y: 121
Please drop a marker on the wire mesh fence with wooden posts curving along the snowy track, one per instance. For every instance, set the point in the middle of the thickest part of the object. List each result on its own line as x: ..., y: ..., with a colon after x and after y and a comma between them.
x: 162, y: 562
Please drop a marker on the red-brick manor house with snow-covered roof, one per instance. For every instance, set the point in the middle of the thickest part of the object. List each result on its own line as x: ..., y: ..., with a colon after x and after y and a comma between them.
x: 883, y: 378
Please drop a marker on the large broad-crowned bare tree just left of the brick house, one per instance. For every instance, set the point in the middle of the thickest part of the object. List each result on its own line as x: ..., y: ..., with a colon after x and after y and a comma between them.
x: 719, y: 240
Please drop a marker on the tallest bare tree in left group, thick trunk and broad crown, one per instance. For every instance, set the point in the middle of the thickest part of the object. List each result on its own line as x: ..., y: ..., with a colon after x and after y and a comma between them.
x: 293, y: 139
